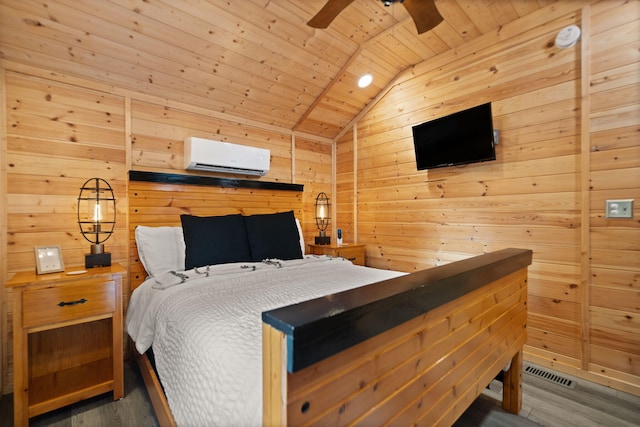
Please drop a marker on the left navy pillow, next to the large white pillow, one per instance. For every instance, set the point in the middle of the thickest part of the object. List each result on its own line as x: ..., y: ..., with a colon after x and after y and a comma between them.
x: 214, y: 240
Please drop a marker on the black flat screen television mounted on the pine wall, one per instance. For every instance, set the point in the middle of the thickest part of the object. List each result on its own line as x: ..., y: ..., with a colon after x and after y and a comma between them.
x: 460, y: 138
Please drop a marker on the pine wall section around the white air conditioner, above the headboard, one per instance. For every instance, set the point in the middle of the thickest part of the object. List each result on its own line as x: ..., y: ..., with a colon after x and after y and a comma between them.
x: 158, y: 132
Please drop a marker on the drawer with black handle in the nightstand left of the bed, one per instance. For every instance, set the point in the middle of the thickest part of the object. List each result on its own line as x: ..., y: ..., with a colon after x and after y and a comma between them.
x: 70, y: 302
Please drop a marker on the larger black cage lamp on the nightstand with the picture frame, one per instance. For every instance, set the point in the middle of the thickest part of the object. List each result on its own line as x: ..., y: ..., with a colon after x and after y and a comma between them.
x: 97, y: 219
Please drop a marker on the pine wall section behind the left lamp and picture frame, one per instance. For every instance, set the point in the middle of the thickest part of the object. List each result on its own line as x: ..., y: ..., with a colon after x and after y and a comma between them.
x: 57, y: 137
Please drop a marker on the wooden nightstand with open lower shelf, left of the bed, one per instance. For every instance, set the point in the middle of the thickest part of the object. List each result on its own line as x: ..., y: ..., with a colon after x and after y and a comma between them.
x: 67, y: 338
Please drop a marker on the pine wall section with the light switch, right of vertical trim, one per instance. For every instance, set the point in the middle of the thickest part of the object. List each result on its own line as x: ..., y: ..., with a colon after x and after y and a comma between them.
x: 612, y: 333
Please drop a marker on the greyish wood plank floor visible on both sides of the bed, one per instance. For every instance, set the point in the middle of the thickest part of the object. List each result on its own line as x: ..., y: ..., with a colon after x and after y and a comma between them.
x: 544, y: 404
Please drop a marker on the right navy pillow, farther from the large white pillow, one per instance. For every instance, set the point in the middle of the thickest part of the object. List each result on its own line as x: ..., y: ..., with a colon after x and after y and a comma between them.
x: 273, y: 236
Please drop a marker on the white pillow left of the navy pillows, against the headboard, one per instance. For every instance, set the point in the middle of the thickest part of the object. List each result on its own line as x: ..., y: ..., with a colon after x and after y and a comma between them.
x: 160, y: 249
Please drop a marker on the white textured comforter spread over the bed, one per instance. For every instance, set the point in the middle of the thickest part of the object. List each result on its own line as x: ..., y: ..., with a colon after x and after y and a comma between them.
x: 206, y: 332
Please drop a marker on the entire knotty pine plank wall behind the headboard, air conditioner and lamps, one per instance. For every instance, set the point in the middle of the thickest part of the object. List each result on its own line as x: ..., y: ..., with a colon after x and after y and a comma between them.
x: 60, y: 131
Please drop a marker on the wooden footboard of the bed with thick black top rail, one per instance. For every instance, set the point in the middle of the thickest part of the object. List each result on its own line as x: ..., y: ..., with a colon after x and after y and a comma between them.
x: 415, y: 350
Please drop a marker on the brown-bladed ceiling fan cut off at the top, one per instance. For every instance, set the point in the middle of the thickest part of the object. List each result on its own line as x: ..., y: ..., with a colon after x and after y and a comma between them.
x: 424, y: 13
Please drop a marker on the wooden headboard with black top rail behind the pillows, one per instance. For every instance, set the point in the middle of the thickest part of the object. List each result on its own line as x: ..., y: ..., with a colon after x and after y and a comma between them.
x: 157, y: 199
